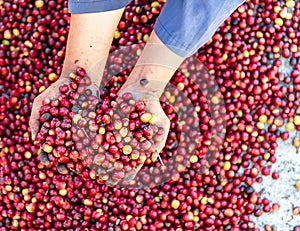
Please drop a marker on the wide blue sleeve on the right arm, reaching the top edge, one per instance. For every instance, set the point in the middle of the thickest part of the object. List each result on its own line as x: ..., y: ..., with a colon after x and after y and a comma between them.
x: 186, y: 25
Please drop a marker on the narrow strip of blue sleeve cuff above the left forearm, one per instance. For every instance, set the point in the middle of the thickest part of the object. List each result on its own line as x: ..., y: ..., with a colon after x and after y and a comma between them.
x: 93, y: 6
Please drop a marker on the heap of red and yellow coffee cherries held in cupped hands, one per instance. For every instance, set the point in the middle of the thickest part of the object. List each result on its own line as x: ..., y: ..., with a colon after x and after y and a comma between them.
x: 79, y: 129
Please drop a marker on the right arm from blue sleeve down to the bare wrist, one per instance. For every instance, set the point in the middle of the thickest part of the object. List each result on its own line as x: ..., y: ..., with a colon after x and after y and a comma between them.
x: 181, y: 29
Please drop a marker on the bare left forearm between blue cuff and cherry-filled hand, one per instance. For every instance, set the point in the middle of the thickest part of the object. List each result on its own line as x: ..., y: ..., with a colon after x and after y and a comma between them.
x: 89, y: 41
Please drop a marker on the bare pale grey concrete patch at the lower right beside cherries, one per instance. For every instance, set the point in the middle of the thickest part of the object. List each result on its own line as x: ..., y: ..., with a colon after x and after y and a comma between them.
x: 282, y: 191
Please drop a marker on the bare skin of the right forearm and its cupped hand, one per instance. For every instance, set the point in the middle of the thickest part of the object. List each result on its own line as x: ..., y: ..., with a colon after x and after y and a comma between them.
x: 157, y: 64
